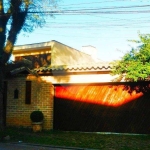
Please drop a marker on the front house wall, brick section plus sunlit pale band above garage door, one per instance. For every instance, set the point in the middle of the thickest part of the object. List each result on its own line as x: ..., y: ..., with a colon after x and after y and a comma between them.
x: 42, y: 97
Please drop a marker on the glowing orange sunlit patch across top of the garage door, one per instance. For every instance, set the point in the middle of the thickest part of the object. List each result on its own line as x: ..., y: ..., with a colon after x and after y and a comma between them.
x: 102, y: 95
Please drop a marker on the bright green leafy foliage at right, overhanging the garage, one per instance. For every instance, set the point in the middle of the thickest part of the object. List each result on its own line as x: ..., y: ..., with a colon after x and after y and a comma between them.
x: 135, y: 64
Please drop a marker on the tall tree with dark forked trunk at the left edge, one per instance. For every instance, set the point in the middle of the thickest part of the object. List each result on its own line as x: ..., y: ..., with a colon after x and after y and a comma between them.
x: 16, y: 16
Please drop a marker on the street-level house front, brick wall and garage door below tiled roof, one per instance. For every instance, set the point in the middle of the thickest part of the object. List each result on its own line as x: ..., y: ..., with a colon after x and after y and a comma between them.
x: 133, y: 106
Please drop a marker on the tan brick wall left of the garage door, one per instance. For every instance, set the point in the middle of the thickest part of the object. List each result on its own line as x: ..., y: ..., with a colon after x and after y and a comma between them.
x: 18, y: 113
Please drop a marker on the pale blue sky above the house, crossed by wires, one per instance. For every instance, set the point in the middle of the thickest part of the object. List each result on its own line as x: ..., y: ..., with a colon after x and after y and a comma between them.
x: 105, y: 24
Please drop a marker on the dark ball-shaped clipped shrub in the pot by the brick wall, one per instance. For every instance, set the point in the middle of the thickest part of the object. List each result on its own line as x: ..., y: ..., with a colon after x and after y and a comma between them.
x: 37, y: 116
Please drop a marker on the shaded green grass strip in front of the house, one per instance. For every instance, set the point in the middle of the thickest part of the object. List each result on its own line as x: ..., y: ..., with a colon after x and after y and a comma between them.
x: 79, y: 139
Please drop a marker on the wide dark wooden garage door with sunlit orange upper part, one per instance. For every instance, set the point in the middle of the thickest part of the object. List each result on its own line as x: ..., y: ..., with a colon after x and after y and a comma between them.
x: 101, y: 108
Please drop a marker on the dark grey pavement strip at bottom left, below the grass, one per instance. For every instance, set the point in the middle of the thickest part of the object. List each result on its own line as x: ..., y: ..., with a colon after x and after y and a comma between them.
x: 24, y: 146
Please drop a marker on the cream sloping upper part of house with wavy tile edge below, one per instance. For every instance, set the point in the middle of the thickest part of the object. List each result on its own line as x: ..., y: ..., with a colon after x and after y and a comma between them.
x: 65, y: 58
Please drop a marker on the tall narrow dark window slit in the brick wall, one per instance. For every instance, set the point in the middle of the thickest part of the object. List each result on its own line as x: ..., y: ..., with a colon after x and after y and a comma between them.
x: 28, y: 93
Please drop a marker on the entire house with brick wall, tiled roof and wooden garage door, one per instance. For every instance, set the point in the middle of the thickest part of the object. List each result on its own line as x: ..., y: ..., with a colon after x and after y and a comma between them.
x: 74, y: 91
